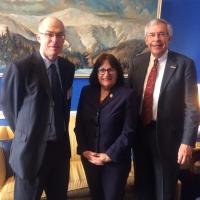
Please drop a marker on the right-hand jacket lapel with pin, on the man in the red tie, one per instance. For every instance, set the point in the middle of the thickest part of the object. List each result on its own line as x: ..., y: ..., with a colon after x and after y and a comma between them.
x: 170, y: 68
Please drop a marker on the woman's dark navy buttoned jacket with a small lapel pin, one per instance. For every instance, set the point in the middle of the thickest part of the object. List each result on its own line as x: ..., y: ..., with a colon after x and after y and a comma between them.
x: 108, y: 127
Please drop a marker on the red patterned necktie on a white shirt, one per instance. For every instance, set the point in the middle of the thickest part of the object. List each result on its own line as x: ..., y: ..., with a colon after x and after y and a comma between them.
x: 147, y: 105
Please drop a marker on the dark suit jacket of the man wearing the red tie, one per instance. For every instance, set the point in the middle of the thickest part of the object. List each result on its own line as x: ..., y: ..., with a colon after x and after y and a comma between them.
x: 178, y: 114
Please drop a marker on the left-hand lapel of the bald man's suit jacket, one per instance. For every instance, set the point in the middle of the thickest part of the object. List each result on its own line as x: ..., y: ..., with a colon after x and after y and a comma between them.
x: 42, y: 74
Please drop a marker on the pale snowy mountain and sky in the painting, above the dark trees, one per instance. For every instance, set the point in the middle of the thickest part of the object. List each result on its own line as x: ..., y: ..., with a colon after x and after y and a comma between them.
x: 91, y: 26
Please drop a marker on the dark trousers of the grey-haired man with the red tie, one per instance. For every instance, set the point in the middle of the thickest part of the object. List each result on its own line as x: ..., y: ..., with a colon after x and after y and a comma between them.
x: 155, y: 177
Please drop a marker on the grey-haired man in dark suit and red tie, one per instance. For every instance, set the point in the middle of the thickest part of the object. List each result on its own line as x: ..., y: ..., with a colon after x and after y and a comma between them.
x: 167, y: 93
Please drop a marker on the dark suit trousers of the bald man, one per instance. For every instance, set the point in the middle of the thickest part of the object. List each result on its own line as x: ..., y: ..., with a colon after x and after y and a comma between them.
x: 53, y: 177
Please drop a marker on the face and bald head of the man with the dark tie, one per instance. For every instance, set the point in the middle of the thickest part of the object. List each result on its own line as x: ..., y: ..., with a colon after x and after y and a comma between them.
x: 51, y: 37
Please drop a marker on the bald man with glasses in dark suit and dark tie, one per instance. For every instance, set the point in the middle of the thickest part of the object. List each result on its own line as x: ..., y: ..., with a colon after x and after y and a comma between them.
x: 36, y: 97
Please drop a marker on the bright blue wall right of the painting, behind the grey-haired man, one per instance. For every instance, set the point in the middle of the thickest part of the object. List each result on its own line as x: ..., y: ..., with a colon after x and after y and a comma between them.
x: 184, y: 15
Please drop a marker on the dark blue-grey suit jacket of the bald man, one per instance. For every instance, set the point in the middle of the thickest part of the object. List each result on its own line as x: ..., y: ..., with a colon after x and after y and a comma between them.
x: 27, y: 104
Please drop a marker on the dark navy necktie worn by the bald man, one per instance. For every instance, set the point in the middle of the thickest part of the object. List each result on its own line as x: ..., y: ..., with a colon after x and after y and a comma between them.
x: 57, y: 125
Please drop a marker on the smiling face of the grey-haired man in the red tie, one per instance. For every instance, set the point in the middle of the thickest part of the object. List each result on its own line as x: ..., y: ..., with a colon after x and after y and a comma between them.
x: 157, y: 39
